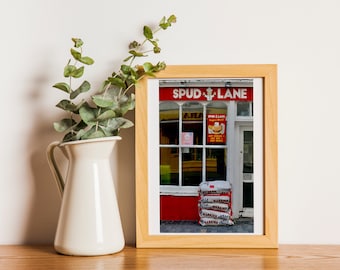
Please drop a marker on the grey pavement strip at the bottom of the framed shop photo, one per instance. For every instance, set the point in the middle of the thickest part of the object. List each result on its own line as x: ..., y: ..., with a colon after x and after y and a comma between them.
x: 242, y: 225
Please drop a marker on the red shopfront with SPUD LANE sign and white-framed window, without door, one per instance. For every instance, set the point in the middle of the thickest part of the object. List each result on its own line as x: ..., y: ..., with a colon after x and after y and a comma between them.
x: 196, y: 124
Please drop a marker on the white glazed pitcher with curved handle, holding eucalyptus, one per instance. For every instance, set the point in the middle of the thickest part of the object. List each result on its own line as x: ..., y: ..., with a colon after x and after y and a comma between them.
x: 89, y: 221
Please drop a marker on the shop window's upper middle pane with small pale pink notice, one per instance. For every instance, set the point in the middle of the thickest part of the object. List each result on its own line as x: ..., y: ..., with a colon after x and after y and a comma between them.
x: 192, y: 126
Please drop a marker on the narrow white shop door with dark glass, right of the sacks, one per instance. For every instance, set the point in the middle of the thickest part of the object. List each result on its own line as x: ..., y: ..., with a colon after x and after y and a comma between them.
x: 247, y: 171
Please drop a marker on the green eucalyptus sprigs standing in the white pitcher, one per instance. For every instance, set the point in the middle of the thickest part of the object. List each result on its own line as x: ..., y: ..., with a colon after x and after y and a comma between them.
x: 103, y: 114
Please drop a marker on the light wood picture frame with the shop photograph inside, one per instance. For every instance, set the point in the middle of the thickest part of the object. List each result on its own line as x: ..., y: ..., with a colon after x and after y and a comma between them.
x: 206, y: 157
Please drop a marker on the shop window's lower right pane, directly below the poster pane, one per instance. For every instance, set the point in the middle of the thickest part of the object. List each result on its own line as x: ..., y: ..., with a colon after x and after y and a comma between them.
x: 216, y: 164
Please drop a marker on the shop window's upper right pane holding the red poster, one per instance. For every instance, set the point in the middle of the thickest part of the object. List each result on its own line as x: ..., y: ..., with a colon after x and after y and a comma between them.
x: 217, y: 123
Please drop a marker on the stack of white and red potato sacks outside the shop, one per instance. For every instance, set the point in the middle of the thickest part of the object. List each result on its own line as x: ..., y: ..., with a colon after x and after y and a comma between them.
x: 214, y: 203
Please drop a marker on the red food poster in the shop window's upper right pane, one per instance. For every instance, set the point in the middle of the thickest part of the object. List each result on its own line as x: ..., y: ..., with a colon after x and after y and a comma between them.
x: 216, y: 126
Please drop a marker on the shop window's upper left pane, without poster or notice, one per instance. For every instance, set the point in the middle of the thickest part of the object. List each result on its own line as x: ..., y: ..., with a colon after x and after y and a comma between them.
x: 169, y: 123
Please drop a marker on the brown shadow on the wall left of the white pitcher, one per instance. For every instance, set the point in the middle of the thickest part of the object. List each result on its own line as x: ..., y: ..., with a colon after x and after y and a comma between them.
x: 45, y: 201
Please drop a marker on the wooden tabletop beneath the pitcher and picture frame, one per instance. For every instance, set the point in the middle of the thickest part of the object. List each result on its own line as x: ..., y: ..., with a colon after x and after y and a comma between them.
x: 286, y: 257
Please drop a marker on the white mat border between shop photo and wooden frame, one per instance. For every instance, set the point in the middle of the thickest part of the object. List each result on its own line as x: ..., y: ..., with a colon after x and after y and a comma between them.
x: 154, y: 162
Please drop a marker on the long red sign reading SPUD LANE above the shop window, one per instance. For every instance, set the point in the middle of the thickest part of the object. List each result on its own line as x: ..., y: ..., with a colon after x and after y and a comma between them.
x: 209, y: 94
